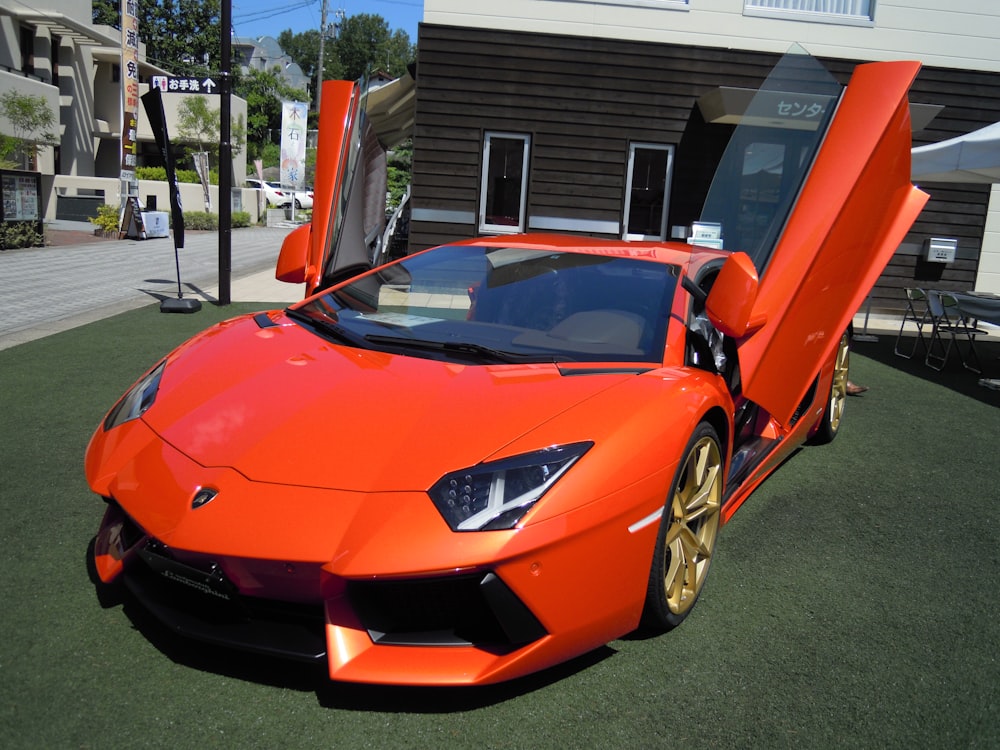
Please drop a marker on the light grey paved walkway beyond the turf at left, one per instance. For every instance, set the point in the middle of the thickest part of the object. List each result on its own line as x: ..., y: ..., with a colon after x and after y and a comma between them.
x: 51, y: 289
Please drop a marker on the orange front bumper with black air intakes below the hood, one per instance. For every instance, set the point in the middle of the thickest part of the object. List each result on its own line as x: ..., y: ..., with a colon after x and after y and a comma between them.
x: 376, y: 584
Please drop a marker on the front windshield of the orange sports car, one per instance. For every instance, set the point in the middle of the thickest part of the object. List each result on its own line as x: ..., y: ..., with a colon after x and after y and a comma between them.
x: 504, y: 304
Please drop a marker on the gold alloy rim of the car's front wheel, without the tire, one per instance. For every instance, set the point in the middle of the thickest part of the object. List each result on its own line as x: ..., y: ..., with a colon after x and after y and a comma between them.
x: 694, y: 524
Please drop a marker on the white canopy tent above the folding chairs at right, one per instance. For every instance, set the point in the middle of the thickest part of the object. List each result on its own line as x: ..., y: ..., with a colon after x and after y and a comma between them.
x: 973, y: 157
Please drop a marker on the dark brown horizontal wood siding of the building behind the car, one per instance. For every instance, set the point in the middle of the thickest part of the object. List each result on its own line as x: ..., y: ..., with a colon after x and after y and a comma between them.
x: 583, y: 100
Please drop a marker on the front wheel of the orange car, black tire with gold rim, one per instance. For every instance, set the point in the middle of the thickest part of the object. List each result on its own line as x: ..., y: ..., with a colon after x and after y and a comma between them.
x: 688, y: 532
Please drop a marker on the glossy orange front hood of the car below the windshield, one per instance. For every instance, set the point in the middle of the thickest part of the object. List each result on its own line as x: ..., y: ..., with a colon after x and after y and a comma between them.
x: 280, y: 404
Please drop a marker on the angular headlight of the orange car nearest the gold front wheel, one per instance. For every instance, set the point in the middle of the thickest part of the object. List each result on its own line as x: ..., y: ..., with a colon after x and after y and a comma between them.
x: 496, y: 495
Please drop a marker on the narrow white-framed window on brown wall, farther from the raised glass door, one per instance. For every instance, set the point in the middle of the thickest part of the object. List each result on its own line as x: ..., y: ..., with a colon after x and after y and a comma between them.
x: 504, y: 189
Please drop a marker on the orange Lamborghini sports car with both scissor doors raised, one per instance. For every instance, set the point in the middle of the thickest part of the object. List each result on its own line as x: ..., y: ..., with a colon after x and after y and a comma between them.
x: 486, y: 458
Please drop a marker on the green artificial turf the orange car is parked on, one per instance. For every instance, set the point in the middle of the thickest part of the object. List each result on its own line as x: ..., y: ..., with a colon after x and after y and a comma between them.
x: 852, y: 603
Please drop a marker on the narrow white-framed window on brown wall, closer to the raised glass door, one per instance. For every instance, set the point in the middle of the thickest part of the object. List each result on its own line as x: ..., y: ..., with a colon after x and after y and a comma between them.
x: 647, y: 191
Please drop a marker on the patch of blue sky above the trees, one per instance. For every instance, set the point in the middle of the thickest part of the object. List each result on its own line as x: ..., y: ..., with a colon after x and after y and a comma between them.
x: 256, y: 18
